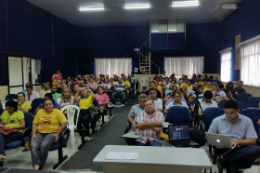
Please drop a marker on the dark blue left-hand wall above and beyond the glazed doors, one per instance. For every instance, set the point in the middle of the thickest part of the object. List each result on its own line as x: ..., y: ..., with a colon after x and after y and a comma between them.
x: 26, y: 30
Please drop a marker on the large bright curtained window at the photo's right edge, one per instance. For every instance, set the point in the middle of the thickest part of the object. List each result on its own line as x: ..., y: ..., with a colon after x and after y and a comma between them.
x: 250, y: 62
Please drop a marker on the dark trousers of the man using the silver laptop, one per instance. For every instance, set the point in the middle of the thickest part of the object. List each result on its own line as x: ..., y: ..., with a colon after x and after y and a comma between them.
x: 240, y: 158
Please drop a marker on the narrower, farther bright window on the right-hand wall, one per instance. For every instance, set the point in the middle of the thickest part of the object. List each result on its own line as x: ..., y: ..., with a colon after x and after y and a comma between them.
x: 225, y: 65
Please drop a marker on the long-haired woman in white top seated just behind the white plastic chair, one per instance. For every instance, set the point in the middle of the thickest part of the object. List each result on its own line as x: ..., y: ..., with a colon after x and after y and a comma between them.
x: 66, y: 98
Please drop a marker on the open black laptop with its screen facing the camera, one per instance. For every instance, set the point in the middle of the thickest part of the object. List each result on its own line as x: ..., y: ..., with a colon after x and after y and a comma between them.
x: 179, y: 136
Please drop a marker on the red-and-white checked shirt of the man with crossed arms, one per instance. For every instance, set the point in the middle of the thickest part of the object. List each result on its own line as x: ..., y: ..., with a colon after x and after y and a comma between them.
x: 149, y: 134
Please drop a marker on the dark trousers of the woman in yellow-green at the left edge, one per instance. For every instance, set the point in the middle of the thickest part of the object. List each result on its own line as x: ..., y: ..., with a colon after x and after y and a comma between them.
x: 8, y: 139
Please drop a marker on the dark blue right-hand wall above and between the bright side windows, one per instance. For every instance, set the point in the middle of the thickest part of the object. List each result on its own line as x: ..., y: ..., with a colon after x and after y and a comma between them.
x: 244, y: 21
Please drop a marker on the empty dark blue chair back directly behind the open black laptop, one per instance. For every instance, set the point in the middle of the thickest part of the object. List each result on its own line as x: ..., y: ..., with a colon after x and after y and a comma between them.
x: 178, y: 116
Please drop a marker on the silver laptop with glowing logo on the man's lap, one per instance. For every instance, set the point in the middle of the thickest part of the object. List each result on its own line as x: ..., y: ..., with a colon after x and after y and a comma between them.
x: 220, y: 141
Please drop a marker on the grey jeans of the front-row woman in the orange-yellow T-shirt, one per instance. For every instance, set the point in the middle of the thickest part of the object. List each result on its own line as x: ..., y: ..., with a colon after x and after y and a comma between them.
x: 40, y: 147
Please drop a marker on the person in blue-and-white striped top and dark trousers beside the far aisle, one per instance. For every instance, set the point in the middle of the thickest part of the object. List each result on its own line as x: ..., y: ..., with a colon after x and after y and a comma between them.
x: 119, y: 92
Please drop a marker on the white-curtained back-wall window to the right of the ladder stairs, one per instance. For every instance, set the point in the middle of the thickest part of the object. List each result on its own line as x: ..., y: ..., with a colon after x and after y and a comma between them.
x: 183, y: 65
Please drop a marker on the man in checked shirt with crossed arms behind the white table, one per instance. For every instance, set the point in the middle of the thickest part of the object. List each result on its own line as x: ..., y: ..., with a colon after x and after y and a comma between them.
x: 149, y: 123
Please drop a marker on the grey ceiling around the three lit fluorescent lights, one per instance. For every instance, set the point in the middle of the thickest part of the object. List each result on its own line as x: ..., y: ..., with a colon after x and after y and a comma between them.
x: 115, y: 15
